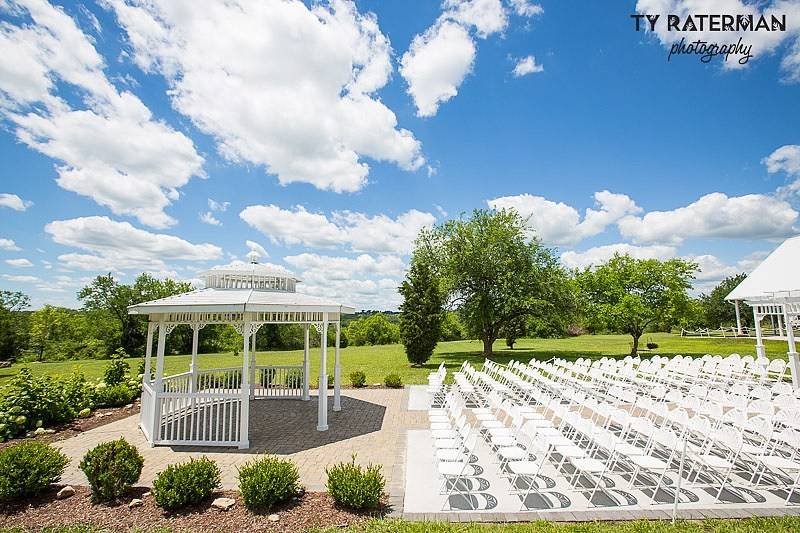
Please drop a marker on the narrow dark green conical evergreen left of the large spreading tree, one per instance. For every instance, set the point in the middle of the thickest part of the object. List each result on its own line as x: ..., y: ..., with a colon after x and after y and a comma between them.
x: 420, y: 312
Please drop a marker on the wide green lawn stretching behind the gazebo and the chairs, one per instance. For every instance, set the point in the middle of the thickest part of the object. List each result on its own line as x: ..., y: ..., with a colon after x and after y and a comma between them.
x: 378, y: 361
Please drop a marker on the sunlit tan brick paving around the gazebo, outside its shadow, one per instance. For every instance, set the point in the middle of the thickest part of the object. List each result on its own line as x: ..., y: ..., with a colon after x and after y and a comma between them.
x: 371, y: 424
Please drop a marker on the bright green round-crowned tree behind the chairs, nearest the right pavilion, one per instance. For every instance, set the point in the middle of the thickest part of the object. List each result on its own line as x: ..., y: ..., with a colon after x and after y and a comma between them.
x: 629, y: 295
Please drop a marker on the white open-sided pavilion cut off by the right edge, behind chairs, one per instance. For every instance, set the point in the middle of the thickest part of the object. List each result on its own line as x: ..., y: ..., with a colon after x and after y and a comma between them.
x: 772, y: 289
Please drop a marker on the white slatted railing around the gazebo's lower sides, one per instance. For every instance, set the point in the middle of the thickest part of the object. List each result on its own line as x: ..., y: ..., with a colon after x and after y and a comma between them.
x: 208, y: 412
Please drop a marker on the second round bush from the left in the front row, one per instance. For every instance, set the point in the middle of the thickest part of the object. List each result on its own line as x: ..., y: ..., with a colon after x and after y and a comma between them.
x: 111, y: 468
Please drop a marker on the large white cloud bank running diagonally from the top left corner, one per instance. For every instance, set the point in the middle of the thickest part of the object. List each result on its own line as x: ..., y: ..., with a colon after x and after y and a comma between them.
x: 112, y: 151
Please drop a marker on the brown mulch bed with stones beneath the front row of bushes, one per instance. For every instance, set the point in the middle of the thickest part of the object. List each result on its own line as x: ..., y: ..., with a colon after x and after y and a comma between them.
x: 314, y: 509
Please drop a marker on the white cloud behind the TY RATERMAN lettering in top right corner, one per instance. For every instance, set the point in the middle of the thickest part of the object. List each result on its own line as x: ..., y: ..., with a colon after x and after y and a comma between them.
x: 763, y: 42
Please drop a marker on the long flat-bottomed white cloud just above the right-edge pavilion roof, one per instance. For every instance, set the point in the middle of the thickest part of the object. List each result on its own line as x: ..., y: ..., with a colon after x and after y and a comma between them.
x: 715, y: 215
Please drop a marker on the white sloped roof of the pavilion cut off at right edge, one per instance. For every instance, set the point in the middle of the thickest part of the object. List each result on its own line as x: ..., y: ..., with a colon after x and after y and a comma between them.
x: 777, y: 274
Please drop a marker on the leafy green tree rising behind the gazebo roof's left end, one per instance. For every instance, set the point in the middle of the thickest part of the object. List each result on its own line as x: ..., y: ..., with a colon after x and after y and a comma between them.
x: 106, y: 296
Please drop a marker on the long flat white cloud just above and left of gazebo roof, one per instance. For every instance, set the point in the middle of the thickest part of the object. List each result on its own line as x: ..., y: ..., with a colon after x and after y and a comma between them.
x: 113, y: 245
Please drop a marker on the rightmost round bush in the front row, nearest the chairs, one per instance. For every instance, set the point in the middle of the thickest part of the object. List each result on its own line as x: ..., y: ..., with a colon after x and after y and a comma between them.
x: 354, y: 487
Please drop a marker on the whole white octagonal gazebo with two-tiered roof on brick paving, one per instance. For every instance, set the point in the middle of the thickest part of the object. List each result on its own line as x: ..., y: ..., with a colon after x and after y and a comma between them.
x: 212, y: 407
